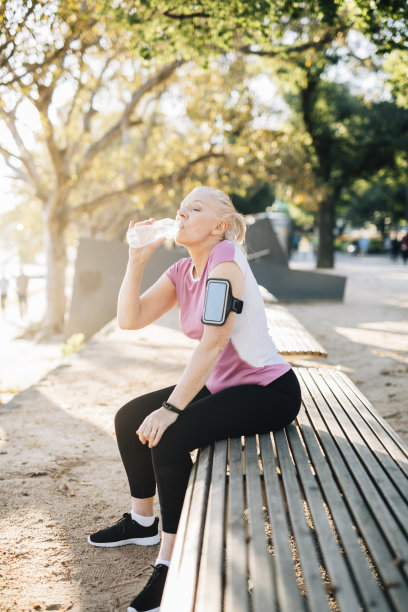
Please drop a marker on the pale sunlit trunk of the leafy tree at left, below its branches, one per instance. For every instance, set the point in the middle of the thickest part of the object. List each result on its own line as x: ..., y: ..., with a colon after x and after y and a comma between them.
x: 53, y: 322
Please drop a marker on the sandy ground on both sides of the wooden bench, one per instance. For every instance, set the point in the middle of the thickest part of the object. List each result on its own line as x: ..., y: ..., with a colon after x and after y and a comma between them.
x: 61, y: 475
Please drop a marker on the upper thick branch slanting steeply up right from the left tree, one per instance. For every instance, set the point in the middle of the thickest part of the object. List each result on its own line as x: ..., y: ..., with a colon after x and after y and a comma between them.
x: 113, y: 132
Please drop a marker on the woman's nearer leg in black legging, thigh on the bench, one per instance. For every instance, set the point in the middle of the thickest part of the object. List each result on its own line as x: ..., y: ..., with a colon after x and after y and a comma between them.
x: 241, y: 410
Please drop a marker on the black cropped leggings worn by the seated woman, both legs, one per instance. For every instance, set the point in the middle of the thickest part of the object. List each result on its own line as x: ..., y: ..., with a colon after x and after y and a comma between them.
x: 233, y: 412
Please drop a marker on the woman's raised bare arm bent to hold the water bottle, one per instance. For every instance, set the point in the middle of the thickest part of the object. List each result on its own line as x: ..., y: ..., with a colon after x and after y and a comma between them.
x: 136, y: 311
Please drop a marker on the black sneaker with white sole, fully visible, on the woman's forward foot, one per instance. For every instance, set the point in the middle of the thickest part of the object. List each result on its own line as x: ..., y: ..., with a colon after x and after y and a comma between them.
x: 126, y: 531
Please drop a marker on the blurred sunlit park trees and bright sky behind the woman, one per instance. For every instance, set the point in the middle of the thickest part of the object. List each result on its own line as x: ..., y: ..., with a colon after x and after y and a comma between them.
x: 111, y: 111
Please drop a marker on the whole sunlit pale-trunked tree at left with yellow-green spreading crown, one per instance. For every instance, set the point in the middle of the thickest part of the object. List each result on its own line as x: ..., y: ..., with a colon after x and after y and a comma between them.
x: 93, y: 167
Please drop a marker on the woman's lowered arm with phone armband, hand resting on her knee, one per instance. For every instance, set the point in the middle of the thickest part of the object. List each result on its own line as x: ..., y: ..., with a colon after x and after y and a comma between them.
x: 201, y: 364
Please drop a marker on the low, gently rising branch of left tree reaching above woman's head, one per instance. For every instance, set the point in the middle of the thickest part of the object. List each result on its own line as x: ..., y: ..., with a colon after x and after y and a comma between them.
x: 76, y: 212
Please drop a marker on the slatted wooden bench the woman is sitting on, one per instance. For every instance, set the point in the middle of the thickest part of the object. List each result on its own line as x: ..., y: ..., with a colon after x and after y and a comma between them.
x: 314, y: 517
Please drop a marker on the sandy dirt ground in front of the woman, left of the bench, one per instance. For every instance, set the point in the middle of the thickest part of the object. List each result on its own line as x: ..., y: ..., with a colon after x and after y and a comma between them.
x: 61, y: 475
